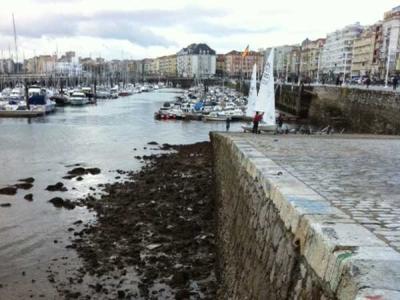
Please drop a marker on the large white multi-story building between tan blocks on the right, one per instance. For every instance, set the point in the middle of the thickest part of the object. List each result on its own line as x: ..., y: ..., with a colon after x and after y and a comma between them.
x: 337, y: 52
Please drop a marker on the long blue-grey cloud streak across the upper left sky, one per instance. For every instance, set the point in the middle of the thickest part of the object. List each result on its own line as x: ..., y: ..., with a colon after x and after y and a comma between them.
x: 138, y: 27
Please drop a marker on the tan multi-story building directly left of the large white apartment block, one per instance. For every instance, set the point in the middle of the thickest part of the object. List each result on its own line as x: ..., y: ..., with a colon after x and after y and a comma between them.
x: 310, y: 59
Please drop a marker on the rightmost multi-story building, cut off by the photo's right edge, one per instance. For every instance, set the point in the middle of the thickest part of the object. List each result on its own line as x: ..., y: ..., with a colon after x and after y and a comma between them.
x: 391, y: 40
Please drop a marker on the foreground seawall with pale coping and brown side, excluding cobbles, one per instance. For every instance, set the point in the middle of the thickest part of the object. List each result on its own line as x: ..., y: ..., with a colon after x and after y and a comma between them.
x: 278, y: 239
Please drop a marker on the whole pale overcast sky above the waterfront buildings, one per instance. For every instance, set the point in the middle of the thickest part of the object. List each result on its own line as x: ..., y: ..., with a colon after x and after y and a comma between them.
x: 149, y: 28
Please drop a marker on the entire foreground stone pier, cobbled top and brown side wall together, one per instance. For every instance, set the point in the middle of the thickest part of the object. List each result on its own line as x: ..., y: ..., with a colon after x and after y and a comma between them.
x: 307, y: 217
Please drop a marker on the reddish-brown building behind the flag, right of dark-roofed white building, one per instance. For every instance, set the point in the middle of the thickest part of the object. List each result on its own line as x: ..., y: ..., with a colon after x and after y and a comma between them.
x: 237, y: 66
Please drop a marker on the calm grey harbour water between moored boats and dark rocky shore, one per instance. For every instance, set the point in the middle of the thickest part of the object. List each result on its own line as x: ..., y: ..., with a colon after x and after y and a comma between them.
x: 102, y: 136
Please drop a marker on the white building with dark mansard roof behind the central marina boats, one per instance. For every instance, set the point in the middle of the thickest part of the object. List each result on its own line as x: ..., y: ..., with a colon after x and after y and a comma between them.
x: 197, y: 60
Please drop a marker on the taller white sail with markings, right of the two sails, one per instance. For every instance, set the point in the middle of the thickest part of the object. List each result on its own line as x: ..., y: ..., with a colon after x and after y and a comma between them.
x: 266, y: 95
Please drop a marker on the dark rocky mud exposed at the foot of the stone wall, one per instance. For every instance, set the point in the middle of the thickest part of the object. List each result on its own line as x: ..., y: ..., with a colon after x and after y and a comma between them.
x: 154, y: 233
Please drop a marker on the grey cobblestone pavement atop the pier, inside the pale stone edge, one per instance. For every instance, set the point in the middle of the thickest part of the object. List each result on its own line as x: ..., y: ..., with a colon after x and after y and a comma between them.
x: 358, y: 174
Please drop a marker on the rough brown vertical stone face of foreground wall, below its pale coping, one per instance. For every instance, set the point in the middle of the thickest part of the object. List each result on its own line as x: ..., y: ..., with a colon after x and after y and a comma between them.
x: 259, y: 256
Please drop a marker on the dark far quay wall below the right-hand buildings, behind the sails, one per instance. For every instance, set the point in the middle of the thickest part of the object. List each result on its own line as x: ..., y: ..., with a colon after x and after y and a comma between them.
x: 356, y: 110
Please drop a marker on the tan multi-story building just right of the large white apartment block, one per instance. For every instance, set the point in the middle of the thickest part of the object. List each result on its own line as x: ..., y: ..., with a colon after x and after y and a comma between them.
x: 366, y: 51
